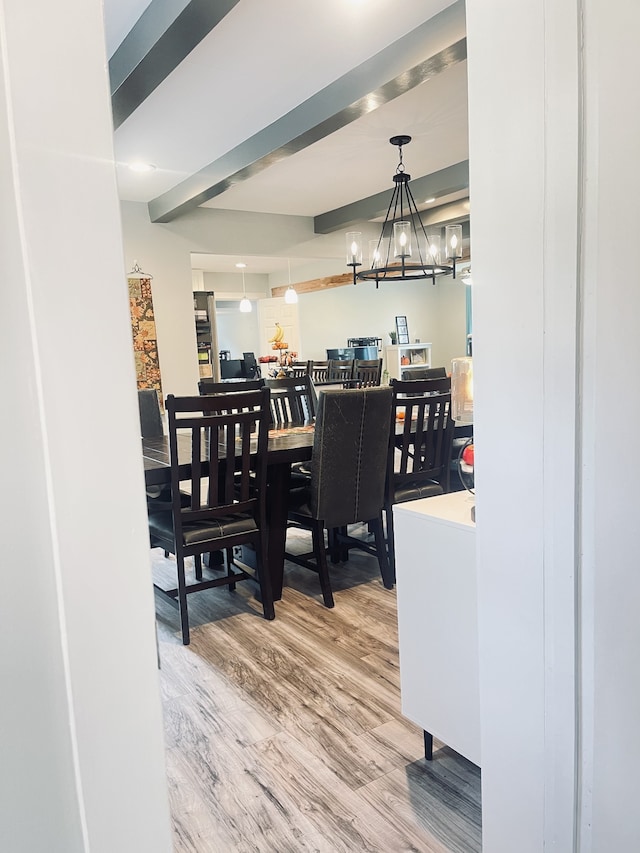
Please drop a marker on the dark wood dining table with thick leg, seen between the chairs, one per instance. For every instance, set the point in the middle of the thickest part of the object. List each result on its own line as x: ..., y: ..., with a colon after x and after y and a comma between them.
x: 286, y: 446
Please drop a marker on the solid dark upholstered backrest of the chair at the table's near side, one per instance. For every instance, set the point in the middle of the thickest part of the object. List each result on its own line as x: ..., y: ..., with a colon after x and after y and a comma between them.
x: 348, y: 466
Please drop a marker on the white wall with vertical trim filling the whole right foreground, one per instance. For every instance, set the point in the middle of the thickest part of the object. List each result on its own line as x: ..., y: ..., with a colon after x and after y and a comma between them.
x: 555, y: 482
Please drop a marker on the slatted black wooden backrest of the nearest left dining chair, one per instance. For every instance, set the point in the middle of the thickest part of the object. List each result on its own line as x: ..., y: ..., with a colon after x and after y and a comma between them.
x: 204, y: 434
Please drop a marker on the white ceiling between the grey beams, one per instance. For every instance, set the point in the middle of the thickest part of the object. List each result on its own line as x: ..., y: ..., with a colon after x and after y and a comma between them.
x: 262, y: 61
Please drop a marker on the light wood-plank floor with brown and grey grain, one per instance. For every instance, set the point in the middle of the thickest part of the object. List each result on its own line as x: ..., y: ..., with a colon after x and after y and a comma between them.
x: 287, y: 735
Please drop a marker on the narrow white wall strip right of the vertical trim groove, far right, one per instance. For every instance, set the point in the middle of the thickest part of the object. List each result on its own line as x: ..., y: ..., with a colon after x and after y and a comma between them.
x: 610, y: 469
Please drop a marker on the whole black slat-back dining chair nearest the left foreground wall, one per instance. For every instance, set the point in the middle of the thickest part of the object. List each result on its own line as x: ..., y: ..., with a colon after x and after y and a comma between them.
x: 226, y: 506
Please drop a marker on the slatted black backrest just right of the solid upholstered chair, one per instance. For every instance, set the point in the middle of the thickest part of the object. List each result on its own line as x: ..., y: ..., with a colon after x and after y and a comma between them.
x: 422, y: 432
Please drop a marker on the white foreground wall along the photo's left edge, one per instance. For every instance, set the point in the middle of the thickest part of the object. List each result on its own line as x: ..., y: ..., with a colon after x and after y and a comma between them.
x: 80, y: 723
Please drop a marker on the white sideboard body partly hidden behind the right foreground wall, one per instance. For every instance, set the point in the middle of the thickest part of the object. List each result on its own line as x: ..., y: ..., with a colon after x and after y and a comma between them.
x: 438, y: 619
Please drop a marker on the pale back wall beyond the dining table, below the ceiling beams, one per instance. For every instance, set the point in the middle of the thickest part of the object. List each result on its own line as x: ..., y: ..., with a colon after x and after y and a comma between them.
x: 327, y: 319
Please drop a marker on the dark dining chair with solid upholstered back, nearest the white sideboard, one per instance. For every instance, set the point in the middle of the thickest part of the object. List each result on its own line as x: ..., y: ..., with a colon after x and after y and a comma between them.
x: 347, y: 481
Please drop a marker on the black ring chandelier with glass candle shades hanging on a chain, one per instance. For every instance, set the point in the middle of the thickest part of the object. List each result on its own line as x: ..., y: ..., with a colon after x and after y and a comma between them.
x: 404, y: 251
